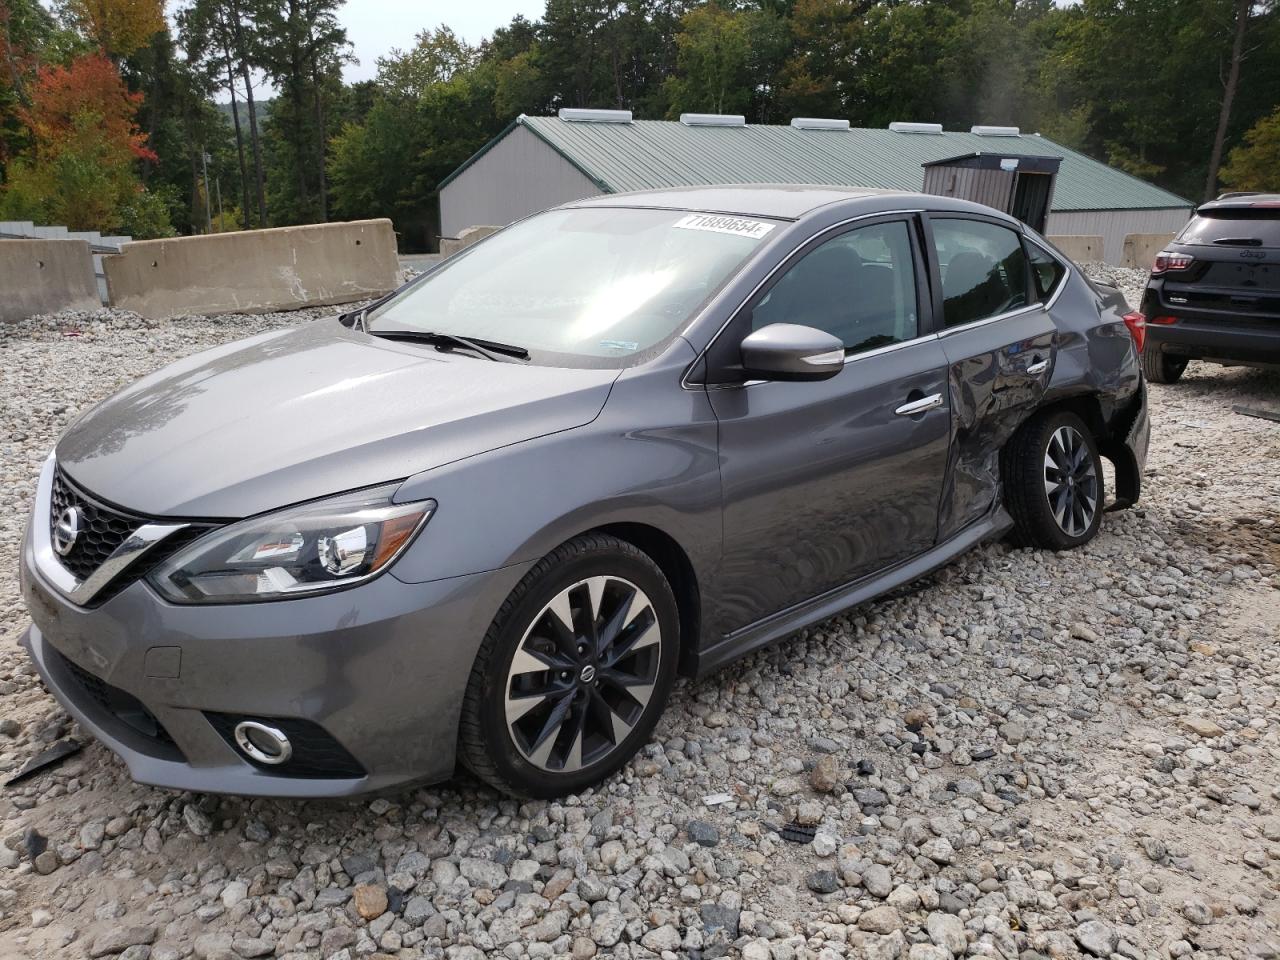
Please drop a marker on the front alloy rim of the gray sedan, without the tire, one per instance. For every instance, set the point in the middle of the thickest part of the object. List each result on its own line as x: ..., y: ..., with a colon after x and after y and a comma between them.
x: 583, y: 675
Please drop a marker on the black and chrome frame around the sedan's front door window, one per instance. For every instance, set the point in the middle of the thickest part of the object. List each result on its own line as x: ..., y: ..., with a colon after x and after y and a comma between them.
x: 924, y: 292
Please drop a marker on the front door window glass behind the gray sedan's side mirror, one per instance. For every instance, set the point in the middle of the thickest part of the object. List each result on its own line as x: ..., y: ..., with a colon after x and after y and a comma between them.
x: 860, y: 287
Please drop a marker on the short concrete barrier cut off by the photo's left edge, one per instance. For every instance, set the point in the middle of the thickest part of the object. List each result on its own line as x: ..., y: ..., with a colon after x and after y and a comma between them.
x: 44, y: 277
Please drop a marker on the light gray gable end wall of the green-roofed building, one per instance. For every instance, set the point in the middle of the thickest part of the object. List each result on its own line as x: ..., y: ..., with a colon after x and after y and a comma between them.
x: 520, y: 176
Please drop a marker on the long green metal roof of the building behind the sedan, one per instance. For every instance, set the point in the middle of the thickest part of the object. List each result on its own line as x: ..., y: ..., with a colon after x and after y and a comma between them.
x: 655, y: 154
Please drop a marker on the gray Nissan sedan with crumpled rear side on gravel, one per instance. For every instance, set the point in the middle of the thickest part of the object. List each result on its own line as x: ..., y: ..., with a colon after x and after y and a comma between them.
x: 493, y: 516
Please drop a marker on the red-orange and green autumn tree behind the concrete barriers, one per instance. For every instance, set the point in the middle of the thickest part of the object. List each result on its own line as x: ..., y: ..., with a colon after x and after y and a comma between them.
x: 81, y: 167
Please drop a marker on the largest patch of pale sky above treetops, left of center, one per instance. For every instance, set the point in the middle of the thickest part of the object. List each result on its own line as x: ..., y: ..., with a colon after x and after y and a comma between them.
x: 377, y: 26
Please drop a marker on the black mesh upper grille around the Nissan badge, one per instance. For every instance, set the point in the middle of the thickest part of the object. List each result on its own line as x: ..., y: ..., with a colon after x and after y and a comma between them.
x: 103, y: 531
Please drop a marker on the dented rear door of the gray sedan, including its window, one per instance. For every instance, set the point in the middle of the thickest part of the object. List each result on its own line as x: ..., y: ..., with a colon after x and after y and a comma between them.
x: 999, y: 341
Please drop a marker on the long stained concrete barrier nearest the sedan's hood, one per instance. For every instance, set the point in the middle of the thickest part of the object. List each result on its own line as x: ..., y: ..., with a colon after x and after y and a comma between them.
x: 254, y: 272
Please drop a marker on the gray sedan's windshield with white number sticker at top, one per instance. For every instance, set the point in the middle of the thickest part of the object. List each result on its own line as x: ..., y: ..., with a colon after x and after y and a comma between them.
x: 587, y: 287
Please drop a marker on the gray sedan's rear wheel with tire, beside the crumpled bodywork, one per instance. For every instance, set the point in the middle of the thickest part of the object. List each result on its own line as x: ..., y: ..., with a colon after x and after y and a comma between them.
x: 1054, y: 482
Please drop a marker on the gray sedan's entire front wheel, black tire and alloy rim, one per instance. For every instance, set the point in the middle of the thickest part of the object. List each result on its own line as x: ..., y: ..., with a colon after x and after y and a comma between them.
x: 574, y: 673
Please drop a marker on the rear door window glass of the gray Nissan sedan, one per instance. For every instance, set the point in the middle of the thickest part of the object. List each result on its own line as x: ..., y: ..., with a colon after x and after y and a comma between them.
x: 984, y: 269
